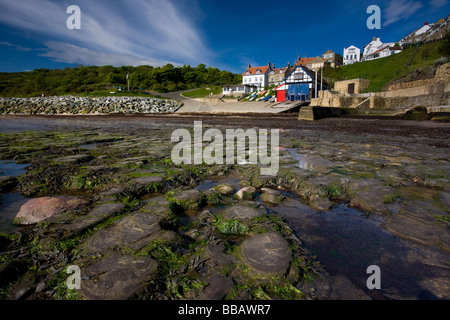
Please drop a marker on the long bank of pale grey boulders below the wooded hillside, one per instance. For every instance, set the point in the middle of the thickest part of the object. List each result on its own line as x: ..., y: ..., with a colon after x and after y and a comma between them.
x: 86, y: 105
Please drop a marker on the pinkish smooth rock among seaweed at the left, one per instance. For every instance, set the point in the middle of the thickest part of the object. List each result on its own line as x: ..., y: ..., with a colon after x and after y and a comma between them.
x: 37, y: 210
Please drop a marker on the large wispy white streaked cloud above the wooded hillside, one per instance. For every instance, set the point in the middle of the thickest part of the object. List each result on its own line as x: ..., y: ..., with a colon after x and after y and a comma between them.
x: 123, y: 32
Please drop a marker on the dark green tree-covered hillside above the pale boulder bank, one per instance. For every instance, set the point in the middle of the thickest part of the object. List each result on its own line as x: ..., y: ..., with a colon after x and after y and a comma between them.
x: 103, y: 80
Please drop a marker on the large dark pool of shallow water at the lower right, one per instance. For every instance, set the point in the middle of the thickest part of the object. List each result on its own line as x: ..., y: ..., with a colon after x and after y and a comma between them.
x: 346, y: 242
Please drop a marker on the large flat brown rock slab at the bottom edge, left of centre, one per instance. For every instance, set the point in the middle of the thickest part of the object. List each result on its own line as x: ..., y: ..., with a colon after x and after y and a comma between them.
x: 116, y: 276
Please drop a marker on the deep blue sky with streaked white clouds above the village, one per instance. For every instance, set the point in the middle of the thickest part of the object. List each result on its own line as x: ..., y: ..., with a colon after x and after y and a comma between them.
x: 224, y: 34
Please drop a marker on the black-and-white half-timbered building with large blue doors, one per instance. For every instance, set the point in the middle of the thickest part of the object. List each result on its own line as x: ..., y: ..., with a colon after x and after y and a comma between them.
x: 301, y: 84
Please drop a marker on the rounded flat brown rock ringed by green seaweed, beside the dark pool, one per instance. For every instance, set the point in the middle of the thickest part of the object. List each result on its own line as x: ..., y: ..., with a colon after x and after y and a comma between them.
x: 267, y: 253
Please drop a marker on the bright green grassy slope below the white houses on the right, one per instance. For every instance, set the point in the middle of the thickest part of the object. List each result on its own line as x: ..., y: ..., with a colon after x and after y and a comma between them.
x: 382, y: 71
